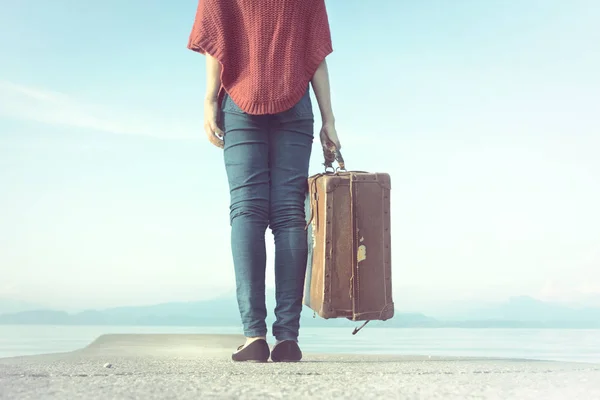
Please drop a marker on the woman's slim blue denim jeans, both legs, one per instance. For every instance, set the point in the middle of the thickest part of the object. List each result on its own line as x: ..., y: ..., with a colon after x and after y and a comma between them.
x: 266, y: 160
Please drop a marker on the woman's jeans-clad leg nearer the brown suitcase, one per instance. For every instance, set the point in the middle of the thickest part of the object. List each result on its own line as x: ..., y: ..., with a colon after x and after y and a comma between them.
x: 291, y: 140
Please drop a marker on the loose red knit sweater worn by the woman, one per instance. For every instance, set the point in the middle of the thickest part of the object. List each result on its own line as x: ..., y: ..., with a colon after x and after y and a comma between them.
x: 268, y: 49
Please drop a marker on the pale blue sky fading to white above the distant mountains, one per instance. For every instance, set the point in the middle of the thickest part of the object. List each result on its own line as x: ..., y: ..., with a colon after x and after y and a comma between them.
x: 485, y: 113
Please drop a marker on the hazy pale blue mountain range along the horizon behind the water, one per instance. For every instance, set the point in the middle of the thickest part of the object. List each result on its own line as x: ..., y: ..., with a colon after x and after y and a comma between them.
x: 519, y: 312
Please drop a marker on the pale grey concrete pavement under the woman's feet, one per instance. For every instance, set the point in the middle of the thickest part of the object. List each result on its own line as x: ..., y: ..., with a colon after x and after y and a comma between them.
x: 199, y: 366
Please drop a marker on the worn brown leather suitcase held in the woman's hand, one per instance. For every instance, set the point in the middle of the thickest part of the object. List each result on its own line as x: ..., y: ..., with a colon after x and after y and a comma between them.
x: 349, y: 259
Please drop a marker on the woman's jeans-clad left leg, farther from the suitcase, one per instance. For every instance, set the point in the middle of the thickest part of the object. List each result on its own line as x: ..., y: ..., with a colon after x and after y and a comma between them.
x: 246, y: 161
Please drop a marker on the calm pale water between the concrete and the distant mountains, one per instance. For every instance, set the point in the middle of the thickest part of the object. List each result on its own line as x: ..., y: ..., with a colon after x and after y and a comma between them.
x: 544, y: 344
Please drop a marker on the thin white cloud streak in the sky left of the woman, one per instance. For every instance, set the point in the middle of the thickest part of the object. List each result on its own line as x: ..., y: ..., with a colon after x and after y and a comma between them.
x: 55, y: 108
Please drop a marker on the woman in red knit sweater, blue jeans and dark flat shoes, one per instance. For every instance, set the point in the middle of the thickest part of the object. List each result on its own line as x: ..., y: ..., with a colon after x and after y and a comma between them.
x: 261, y: 57
